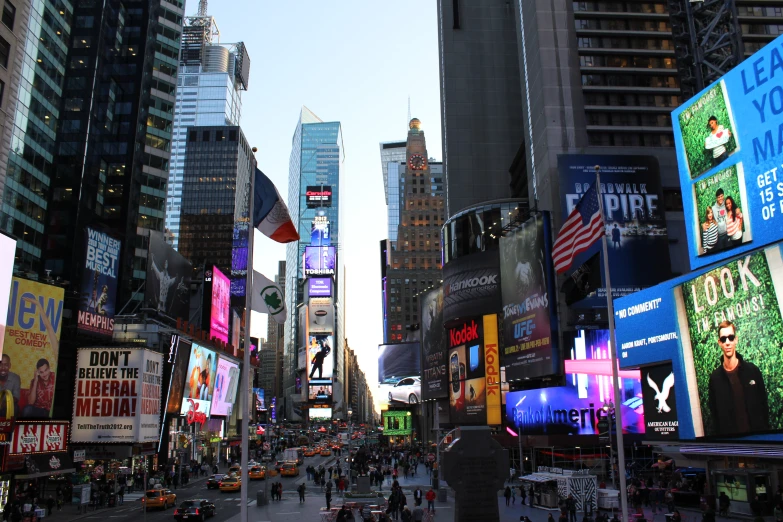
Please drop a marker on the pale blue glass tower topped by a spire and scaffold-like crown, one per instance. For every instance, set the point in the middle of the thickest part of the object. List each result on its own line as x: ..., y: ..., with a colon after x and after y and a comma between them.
x: 212, y: 77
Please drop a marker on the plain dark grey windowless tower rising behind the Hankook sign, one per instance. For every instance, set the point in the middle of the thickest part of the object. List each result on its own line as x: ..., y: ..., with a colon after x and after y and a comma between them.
x: 481, y: 100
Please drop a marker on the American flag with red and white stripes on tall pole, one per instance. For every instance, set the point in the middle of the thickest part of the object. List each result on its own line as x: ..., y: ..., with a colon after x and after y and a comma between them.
x: 584, y: 226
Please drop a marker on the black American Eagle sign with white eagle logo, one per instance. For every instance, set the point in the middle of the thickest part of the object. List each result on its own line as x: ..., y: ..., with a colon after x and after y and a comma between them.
x: 660, y: 403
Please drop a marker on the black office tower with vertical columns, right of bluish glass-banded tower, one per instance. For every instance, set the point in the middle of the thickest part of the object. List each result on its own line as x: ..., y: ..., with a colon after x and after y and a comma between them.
x: 110, y: 160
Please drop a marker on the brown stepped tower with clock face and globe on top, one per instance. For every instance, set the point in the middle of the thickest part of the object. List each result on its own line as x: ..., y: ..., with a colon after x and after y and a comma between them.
x: 414, y: 258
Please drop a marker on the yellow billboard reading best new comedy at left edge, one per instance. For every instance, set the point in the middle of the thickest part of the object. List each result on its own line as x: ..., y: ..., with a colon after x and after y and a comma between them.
x: 32, y: 346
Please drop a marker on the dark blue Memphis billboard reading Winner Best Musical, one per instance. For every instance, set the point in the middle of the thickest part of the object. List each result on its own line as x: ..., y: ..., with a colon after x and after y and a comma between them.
x: 99, y: 283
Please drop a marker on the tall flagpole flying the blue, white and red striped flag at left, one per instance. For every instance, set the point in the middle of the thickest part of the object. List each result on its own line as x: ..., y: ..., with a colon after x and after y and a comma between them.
x: 244, y: 402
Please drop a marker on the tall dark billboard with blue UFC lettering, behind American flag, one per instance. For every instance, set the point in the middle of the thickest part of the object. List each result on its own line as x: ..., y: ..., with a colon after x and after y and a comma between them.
x: 528, y: 301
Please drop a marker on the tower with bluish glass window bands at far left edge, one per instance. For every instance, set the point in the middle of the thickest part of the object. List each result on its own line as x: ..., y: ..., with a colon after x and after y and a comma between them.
x: 28, y: 173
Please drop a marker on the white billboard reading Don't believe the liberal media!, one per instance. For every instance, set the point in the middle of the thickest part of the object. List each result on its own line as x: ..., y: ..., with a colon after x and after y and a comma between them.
x: 118, y: 395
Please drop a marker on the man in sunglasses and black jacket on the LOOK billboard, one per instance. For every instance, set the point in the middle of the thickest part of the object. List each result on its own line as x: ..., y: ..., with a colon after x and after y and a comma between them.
x: 737, y: 395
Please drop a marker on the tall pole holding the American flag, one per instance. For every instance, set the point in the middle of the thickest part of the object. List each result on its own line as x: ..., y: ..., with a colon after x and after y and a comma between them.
x: 618, y: 419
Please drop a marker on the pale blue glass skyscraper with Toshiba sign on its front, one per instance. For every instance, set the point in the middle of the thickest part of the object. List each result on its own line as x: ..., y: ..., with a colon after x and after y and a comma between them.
x: 314, y: 181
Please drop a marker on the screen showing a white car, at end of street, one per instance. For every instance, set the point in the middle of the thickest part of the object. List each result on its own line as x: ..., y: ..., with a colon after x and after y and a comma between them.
x: 399, y: 373
